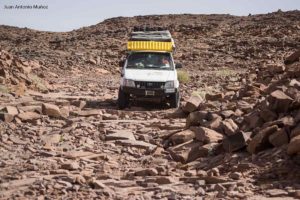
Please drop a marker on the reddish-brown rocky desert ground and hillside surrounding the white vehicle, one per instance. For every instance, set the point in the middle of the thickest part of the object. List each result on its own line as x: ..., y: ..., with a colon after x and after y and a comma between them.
x: 235, y: 136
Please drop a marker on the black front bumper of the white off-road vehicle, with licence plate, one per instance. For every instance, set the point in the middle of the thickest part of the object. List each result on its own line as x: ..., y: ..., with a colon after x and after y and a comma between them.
x: 153, y: 92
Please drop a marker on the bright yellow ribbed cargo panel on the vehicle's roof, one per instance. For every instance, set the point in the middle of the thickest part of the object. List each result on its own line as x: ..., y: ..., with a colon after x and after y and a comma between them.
x: 149, y: 46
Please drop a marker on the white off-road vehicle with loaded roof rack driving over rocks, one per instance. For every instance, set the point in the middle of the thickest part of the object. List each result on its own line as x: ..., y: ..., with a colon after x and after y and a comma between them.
x: 149, y: 71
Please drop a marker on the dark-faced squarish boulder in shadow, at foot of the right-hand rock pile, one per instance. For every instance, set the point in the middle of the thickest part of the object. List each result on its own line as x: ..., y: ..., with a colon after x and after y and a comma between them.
x: 235, y: 142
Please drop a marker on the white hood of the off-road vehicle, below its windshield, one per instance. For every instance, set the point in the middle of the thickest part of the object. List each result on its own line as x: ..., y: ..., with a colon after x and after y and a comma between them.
x: 150, y: 75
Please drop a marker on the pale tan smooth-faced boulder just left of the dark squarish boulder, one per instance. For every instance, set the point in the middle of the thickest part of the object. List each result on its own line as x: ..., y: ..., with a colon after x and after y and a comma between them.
x: 206, y: 135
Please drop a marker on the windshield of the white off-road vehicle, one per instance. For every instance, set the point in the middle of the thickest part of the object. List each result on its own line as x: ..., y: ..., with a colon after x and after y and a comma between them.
x: 150, y: 60
